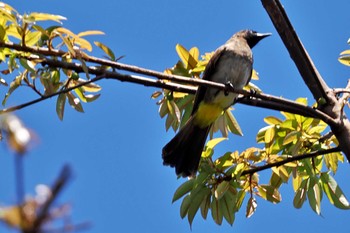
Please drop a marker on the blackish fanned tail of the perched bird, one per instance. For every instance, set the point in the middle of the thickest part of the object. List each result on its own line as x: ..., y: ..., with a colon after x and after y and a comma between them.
x: 184, y: 151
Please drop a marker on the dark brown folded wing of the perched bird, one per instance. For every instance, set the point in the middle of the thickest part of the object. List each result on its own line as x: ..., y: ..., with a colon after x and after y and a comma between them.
x: 209, y: 71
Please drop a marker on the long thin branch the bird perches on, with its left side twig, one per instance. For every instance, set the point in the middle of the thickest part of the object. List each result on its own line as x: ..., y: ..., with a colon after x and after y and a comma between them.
x: 255, y: 99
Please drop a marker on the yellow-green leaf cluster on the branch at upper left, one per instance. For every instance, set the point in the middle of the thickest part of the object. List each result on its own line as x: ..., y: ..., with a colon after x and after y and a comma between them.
x: 61, y: 45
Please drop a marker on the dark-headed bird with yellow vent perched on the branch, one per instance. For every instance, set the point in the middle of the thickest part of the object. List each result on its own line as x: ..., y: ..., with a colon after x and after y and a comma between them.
x: 231, y: 64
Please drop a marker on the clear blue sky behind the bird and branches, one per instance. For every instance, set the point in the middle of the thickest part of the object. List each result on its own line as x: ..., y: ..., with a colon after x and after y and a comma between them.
x: 115, y: 146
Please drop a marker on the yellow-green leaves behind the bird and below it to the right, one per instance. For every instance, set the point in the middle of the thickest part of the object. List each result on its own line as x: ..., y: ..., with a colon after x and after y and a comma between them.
x: 225, y: 182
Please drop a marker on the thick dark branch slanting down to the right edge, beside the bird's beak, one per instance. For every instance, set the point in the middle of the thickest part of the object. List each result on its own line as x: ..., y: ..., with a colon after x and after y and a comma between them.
x: 332, y: 107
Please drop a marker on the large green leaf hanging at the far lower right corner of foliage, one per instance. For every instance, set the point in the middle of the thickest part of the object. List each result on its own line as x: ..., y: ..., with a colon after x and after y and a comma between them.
x: 333, y: 192
